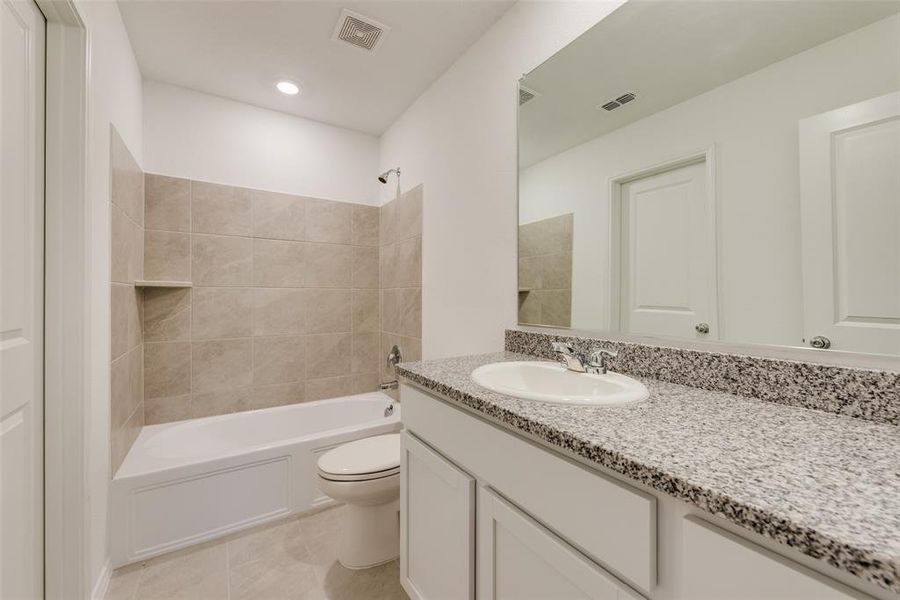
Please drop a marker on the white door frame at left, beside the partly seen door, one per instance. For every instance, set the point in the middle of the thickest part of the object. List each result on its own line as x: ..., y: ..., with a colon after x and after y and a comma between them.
x: 66, y: 301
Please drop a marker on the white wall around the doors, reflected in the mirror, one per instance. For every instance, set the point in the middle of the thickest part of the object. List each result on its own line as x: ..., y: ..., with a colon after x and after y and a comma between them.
x: 753, y: 123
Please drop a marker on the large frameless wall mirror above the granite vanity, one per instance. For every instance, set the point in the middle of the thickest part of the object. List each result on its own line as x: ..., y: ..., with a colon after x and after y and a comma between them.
x: 724, y: 171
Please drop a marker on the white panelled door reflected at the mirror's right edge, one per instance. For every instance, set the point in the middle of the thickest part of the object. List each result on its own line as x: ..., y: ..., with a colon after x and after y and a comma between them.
x: 850, y: 207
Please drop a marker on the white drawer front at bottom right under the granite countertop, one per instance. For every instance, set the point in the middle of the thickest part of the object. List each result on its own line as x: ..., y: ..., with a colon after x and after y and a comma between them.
x: 718, y: 564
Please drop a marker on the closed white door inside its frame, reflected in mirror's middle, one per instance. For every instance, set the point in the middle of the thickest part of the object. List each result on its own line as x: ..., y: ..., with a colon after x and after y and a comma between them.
x: 667, y: 249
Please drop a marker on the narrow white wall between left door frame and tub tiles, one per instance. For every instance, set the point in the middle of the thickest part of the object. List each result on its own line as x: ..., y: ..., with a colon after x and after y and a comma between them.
x: 115, y: 98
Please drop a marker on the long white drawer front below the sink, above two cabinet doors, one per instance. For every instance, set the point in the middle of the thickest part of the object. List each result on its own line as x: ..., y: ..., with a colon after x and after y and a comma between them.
x: 612, y: 523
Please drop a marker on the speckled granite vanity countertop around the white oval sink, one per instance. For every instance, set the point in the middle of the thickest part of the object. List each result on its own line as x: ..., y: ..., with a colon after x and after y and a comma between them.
x: 825, y: 484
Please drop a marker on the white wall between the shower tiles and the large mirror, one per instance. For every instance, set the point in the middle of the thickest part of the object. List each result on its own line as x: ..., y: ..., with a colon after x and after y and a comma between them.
x: 459, y: 140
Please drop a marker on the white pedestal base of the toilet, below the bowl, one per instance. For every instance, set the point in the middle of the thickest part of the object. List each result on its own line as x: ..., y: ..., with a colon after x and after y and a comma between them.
x: 370, y: 535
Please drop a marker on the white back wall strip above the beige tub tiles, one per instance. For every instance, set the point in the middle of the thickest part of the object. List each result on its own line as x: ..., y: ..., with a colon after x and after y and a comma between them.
x: 198, y: 136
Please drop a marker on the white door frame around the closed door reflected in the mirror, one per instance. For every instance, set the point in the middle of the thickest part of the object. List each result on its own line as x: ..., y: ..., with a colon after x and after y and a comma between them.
x: 707, y: 156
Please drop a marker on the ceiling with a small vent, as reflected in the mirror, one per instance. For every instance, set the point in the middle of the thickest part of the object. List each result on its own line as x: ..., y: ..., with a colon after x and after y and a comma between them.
x: 668, y: 52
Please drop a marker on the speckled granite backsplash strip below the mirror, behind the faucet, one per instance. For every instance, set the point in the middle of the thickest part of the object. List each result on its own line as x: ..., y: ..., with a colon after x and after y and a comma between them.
x: 860, y: 393
